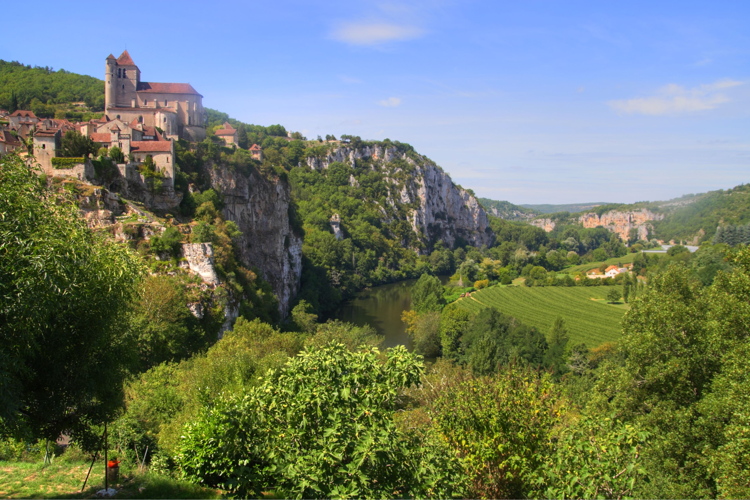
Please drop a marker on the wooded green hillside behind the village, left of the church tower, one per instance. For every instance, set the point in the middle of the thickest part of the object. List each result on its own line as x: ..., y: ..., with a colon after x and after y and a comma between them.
x: 44, y: 91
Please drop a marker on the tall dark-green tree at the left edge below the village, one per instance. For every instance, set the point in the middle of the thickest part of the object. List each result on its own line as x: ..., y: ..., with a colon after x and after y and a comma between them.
x: 64, y: 292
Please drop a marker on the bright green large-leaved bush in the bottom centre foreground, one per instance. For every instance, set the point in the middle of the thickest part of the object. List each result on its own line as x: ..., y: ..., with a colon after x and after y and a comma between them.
x: 321, y: 427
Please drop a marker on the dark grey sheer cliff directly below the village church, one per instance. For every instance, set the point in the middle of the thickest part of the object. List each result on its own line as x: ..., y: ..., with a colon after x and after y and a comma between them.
x: 260, y: 208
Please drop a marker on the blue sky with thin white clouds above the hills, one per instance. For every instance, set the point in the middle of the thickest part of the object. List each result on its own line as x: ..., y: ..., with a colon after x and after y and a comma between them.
x: 531, y: 102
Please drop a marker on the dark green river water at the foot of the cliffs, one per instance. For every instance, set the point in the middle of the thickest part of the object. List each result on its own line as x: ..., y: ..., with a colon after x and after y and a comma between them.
x: 381, y: 307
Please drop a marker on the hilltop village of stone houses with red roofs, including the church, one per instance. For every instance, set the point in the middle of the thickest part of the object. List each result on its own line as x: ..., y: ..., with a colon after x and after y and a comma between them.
x: 141, y: 122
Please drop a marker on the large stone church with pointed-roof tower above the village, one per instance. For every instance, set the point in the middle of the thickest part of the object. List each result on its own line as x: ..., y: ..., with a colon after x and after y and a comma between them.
x: 174, y: 108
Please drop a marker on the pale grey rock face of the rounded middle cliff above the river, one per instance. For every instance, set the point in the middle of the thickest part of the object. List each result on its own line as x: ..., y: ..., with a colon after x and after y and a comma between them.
x: 443, y: 211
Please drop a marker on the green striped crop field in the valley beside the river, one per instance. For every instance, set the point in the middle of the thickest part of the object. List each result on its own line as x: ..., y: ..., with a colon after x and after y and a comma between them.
x: 587, y: 315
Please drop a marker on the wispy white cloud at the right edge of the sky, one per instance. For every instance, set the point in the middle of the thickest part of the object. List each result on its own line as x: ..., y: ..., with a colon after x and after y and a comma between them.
x: 675, y: 99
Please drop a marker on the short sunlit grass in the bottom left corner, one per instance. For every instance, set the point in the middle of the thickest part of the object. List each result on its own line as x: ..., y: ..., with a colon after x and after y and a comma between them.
x: 64, y: 480
